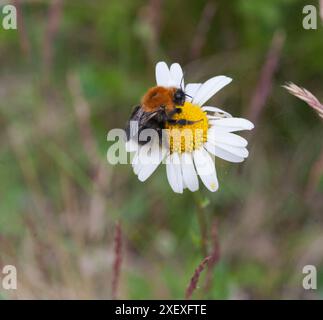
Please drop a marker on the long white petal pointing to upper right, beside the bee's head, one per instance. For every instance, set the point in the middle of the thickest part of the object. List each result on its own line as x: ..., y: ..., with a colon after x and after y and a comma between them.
x: 210, y: 88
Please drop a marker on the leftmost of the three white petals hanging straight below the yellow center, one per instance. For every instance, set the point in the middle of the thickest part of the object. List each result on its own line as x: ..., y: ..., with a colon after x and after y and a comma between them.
x: 174, y: 173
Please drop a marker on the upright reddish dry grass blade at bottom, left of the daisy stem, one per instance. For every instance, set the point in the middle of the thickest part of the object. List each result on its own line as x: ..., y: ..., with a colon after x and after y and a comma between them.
x: 117, y: 260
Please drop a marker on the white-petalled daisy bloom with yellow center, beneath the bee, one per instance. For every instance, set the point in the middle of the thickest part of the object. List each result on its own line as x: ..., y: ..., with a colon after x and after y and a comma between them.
x: 190, y: 149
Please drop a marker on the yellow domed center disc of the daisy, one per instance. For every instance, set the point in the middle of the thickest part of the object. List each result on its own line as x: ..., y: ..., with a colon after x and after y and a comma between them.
x: 190, y: 136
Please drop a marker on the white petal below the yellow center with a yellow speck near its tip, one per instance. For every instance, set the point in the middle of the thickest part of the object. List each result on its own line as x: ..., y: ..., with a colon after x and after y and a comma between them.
x: 206, y: 169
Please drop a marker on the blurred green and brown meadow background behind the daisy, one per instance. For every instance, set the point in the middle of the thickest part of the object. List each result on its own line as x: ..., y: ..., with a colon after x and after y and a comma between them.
x: 73, y: 71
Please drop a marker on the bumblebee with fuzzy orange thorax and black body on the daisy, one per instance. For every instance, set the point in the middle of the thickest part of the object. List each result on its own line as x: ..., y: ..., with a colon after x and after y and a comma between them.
x: 157, y: 107
